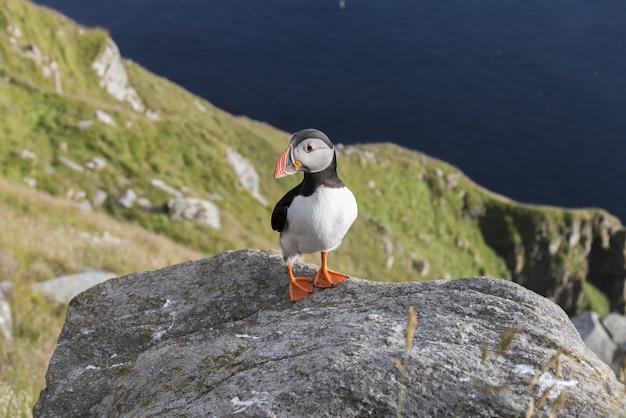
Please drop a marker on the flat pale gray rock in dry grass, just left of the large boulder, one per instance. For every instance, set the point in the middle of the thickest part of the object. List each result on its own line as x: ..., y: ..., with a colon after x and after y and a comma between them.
x: 64, y: 288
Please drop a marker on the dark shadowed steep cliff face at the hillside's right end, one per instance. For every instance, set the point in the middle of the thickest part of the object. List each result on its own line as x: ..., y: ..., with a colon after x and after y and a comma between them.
x: 557, y: 252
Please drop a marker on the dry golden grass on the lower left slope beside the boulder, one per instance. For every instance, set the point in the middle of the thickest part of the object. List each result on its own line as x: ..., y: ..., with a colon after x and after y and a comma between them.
x: 44, y: 237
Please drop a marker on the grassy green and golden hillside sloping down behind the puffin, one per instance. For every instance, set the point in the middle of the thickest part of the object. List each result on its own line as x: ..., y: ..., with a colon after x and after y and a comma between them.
x: 419, y: 219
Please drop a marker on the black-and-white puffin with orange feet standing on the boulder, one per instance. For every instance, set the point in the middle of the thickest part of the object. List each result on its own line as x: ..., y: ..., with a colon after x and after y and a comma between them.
x: 317, y: 213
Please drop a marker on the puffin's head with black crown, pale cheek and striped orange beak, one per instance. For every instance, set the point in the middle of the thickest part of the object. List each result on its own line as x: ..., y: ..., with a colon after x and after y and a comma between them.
x: 309, y: 151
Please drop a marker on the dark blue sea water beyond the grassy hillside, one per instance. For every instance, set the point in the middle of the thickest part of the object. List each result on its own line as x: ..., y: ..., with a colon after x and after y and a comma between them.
x: 527, y: 97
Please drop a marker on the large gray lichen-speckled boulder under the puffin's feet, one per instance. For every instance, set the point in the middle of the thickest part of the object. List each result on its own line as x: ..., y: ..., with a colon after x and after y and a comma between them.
x: 219, y: 337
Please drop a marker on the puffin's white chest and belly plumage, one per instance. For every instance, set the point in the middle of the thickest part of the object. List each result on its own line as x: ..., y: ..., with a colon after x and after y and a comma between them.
x: 320, y: 221
